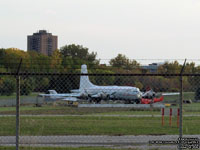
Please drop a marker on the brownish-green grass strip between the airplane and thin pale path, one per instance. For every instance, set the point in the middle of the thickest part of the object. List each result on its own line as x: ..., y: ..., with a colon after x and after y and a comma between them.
x: 193, y: 108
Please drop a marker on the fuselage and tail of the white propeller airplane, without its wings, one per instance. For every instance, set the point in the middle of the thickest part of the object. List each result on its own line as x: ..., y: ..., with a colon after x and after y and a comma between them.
x: 97, y: 93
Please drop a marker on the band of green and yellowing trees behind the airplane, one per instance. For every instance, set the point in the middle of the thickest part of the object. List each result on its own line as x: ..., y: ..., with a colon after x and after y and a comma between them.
x: 69, y: 59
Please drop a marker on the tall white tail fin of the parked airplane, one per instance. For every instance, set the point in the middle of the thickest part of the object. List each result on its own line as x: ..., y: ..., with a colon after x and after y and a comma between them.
x: 84, y: 80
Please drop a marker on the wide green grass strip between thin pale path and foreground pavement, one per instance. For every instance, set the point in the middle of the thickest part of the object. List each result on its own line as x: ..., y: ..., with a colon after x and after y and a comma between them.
x: 76, y: 125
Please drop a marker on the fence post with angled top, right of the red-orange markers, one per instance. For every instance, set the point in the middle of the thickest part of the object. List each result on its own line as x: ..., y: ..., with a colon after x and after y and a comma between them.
x: 181, y: 106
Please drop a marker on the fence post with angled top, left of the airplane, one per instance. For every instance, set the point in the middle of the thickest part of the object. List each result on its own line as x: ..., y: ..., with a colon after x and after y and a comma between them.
x: 18, y: 106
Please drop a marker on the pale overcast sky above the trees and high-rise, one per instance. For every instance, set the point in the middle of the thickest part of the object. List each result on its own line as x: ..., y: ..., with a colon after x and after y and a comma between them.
x: 139, y: 29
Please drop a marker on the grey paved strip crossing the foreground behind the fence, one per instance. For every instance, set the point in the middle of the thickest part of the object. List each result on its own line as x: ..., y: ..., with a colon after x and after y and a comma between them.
x: 141, y: 142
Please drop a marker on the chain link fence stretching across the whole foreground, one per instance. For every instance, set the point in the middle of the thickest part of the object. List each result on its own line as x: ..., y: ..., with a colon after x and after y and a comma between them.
x: 99, y: 110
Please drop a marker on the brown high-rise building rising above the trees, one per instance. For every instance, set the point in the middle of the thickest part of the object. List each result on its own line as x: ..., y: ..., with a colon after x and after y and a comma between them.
x: 42, y: 42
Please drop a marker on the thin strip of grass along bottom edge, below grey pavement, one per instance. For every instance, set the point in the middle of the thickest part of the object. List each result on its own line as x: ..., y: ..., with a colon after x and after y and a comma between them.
x: 66, y: 148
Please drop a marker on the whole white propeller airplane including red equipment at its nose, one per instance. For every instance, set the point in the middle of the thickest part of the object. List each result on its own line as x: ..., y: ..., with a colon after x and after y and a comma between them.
x: 95, y: 93
